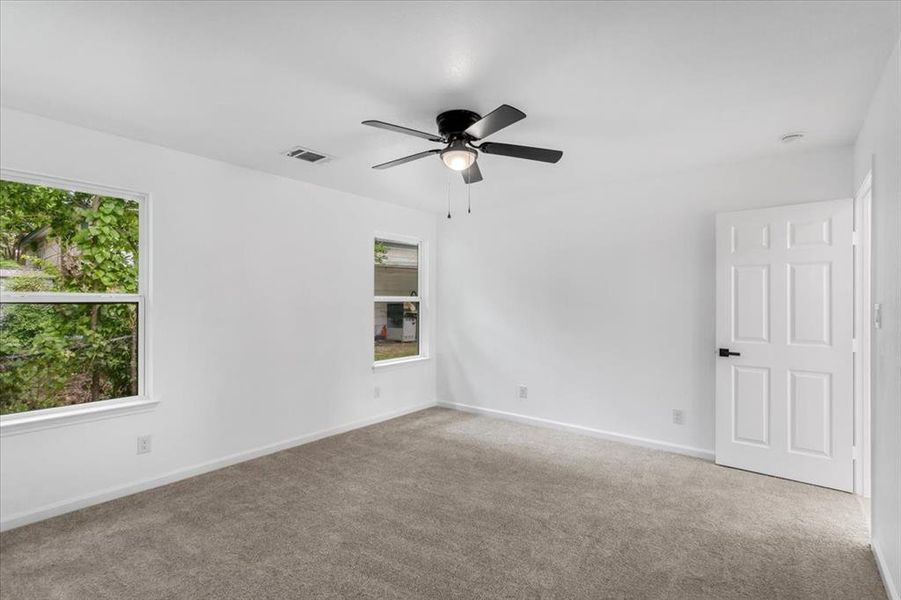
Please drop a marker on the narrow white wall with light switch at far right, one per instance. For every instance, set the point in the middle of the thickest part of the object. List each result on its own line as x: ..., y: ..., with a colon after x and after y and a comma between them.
x: 879, y: 147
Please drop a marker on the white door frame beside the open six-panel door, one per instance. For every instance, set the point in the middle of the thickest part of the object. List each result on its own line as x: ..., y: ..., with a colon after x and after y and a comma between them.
x: 862, y: 335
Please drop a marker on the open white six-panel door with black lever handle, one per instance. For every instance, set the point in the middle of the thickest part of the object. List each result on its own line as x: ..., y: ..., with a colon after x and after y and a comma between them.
x: 784, y: 302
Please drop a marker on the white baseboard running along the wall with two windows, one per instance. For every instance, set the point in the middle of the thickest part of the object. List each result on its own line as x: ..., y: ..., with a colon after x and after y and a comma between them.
x: 65, y: 506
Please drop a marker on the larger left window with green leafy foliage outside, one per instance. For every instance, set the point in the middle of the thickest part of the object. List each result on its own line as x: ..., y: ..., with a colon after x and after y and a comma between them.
x: 71, y: 295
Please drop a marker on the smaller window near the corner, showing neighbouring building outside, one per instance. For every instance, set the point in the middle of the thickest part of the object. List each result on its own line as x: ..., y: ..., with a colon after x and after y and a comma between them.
x: 398, y: 302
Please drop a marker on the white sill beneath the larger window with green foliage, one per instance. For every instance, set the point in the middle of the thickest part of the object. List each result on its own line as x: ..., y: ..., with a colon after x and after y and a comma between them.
x: 49, y: 418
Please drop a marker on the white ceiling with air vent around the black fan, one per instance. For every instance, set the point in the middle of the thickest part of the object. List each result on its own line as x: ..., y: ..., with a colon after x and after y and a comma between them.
x: 624, y: 89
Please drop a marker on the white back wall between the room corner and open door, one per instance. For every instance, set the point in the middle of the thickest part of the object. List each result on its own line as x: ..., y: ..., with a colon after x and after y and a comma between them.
x: 603, y: 303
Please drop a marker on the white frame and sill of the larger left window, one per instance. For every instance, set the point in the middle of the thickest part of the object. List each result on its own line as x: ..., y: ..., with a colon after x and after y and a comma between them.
x: 33, y: 420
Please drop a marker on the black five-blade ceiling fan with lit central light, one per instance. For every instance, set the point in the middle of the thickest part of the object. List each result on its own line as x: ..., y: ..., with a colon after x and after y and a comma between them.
x: 459, y: 130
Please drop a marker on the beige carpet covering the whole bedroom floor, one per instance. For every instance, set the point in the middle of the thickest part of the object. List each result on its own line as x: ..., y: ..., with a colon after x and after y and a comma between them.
x: 442, y: 504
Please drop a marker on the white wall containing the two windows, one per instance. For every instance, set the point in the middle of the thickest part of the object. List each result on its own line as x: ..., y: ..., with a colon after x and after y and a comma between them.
x: 253, y: 344
